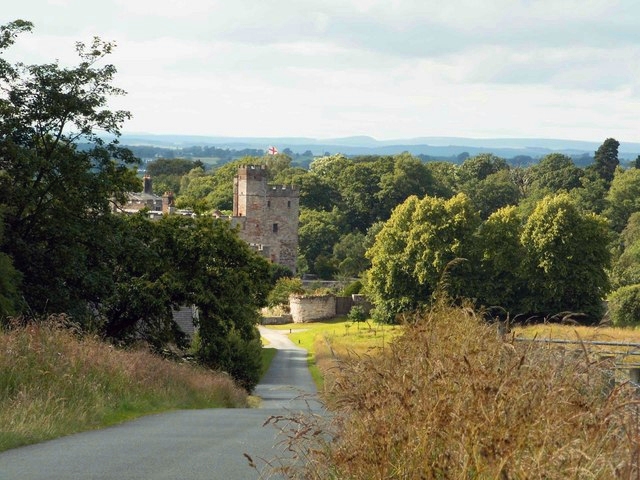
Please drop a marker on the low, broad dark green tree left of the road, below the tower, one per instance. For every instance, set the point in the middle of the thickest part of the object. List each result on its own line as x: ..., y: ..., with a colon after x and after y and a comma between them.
x: 177, y: 261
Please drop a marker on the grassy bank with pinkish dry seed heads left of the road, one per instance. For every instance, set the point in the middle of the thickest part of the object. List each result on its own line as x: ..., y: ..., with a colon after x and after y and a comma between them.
x: 54, y: 382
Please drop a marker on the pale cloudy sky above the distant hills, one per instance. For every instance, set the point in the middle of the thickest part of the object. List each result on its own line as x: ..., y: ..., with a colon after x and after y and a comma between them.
x: 390, y: 69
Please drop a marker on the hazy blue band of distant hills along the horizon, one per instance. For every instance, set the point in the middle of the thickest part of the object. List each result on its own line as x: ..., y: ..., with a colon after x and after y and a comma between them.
x: 363, y: 145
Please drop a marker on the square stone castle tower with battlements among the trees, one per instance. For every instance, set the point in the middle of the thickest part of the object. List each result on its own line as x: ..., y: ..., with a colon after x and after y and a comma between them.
x: 267, y: 215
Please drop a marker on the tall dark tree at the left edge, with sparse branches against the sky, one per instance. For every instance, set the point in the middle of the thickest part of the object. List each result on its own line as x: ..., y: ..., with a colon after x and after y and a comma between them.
x: 58, y: 177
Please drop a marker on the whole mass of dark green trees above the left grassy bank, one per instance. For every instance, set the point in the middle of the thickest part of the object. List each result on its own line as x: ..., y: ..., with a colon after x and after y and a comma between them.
x: 63, y: 250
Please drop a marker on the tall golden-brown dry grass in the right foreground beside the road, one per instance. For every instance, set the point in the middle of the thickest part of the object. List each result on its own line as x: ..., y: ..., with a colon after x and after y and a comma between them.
x: 451, y: 400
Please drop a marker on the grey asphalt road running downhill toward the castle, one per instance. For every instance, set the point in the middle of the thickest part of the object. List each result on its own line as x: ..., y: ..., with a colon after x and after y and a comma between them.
x: 184, y: 445
